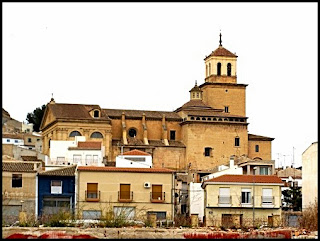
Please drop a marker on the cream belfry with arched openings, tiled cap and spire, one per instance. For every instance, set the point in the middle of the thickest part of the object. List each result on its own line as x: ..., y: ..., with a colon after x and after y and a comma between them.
x: 221, y: 66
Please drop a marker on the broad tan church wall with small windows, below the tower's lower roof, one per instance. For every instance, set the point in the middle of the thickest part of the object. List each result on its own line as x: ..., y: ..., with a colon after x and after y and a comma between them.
x: 220, y: 137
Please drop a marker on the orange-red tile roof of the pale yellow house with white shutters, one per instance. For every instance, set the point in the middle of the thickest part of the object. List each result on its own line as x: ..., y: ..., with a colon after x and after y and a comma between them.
x: 247, y: 179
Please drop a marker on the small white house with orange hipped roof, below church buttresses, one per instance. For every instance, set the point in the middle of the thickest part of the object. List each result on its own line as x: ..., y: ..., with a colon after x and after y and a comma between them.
x: 134, y: 158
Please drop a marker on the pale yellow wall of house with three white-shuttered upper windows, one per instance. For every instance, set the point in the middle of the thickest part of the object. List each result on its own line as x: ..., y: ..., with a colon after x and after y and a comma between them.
x: 213, y: 212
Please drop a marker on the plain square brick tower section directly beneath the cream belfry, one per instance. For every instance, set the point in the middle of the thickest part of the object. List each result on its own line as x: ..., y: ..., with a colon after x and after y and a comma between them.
x: 217, y: 97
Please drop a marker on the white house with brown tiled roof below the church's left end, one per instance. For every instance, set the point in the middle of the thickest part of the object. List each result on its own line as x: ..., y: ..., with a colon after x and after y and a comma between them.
x: 79, y: 151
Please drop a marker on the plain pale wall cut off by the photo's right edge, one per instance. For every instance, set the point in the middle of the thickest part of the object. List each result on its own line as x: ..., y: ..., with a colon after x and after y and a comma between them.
x: 310, y: 175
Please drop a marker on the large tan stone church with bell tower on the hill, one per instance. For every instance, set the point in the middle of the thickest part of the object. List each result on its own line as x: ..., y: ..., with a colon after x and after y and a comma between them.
x: 201, y: 134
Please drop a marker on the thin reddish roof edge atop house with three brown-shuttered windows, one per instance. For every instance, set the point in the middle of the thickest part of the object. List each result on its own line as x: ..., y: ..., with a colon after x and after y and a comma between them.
x: 124, y: 169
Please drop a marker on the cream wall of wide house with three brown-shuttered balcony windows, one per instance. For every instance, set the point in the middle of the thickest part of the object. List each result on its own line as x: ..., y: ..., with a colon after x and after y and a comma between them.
x: 109, y: 185
